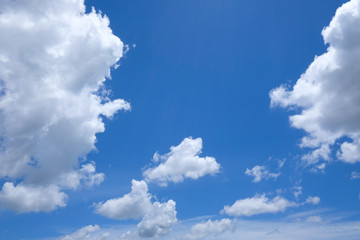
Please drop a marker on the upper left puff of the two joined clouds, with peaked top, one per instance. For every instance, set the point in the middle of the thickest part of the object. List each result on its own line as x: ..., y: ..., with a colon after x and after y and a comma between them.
x: 133, y: 205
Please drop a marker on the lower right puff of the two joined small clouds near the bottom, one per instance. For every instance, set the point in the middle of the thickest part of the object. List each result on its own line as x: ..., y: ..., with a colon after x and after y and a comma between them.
x: 159, y: 220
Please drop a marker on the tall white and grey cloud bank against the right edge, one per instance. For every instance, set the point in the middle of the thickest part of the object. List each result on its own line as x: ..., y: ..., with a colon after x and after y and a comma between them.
x: 327, y: 94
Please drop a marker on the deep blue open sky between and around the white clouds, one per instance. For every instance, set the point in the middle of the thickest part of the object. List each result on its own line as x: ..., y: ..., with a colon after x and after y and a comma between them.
x: 203, y: 68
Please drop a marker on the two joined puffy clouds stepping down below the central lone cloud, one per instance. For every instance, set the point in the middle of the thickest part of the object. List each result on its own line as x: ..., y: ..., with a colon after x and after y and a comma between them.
x: 157, y: 218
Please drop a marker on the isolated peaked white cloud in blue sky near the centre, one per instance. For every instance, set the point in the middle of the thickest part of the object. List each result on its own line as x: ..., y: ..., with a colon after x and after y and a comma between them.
x: 181, y: 162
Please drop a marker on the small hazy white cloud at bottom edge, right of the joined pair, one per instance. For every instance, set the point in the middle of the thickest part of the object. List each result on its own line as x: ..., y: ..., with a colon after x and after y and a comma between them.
x: 204, y: 229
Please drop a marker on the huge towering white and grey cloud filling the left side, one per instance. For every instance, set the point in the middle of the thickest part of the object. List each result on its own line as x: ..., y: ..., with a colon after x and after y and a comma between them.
x: 54, y: 59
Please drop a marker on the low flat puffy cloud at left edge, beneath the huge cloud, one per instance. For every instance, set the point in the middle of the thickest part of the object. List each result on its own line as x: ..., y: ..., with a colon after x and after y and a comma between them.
x: 24, y: 198
